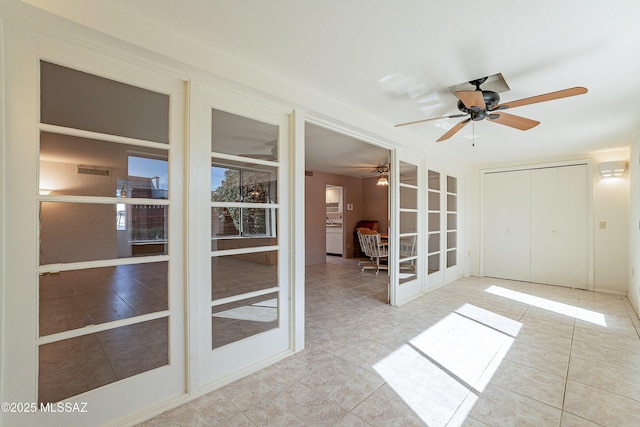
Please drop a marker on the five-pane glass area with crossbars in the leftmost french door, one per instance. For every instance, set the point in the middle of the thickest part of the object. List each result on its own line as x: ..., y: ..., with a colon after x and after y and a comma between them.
x: 104, y: 225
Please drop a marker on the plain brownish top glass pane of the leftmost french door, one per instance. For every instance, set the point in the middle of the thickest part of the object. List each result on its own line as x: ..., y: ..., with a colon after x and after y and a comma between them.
x: 84, y: 101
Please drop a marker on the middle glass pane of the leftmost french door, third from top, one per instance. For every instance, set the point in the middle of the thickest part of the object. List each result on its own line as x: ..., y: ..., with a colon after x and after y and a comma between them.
x: 74, y: 232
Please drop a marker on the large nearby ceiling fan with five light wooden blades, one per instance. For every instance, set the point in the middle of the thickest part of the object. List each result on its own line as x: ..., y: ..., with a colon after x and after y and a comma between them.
x: 481, y: 104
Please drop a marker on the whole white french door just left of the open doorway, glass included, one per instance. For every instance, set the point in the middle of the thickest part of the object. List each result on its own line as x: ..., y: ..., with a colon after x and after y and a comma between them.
x: 239, y: 201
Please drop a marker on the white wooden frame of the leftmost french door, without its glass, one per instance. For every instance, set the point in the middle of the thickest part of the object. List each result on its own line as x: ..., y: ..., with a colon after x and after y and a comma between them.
x: 24, y: 47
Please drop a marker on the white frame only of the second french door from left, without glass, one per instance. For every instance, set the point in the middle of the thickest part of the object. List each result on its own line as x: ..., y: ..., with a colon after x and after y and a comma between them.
x: 211, y: 369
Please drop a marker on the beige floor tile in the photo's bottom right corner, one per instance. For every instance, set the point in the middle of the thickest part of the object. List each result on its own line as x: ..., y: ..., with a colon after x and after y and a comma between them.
x: 600, y: 406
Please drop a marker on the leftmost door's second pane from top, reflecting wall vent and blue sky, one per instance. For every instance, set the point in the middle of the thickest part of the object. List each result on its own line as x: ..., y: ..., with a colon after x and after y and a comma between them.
x: 87, y: 167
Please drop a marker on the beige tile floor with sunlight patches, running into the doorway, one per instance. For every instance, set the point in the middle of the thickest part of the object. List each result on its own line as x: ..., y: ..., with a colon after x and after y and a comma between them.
x: 477, y: 352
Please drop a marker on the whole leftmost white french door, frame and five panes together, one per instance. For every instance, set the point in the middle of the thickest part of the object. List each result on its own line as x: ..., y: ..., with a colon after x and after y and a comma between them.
x: 94, y: 278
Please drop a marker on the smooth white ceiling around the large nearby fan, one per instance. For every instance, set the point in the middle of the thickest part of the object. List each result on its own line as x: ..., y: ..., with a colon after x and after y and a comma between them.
x: 394, y: 60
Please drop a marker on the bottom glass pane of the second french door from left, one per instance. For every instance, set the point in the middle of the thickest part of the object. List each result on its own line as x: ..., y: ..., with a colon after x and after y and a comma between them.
x: 242, y: 319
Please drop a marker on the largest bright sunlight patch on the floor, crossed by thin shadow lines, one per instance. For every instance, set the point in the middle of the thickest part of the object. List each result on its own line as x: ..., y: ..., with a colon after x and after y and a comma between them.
x: 452, y: 362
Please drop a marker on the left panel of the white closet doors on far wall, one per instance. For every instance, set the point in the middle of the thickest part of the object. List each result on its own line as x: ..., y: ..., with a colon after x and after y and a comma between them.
x: 507, y: 213
